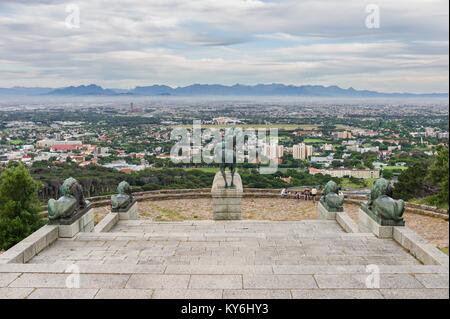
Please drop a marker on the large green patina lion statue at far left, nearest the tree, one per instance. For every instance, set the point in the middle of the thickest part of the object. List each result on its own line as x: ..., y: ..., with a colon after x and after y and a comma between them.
x: 72, y: 202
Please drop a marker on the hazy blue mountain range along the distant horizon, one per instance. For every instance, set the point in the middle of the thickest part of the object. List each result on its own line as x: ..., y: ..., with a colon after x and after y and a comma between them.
x: 213, y: 90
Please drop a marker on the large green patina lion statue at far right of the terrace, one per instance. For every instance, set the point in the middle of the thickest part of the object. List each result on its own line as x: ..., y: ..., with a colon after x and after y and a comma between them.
x: 382, y: 207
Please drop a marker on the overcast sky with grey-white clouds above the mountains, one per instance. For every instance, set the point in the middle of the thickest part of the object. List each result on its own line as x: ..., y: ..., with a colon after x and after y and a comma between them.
x: 126, y: 43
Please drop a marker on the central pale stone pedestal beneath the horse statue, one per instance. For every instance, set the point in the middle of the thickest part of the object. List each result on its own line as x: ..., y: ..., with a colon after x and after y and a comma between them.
x: 227, y: 201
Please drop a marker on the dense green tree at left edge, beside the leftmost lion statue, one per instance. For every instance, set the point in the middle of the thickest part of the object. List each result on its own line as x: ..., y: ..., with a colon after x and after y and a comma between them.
x: 19, y: 205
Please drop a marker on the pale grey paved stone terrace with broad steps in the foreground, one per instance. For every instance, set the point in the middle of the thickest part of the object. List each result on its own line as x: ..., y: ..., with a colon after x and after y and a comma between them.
x: 245, y: 259
